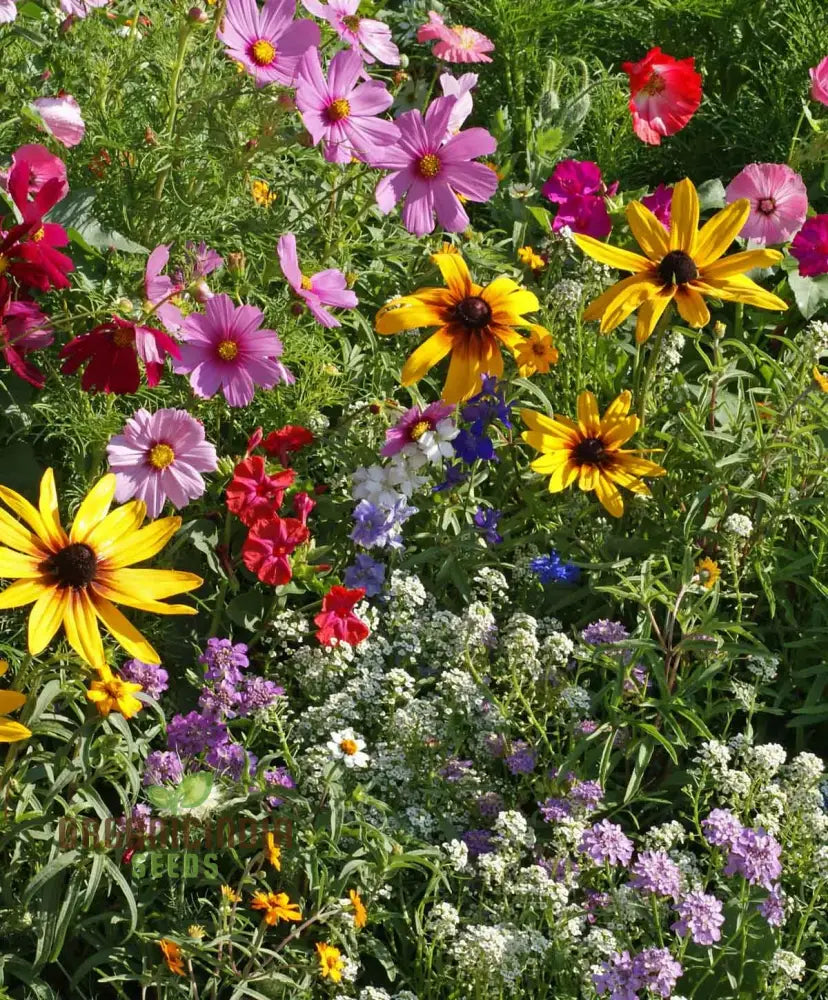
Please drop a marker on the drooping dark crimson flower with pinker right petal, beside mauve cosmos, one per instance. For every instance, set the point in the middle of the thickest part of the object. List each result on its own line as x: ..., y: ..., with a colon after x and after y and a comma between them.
x: 112, y: 350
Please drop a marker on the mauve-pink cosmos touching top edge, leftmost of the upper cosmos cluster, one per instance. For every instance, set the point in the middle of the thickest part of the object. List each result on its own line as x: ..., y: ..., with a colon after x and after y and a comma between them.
x: 267, y: 42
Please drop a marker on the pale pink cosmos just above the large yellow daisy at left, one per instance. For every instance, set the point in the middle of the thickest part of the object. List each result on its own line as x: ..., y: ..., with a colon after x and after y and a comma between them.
x: 160, y: 456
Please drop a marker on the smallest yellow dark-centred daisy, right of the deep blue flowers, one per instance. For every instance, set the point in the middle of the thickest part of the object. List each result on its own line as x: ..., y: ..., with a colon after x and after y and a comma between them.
x: 589, y: 451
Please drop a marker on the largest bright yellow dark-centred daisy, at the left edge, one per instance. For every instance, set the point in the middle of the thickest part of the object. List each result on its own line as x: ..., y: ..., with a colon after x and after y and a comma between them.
x: 74, y: 578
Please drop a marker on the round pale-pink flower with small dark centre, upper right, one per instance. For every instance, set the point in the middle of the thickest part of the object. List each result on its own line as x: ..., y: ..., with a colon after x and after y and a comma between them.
x: 778, y: 201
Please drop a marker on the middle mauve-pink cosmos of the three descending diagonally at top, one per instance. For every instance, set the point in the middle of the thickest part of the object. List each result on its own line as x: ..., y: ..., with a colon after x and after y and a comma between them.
x: 339, y: 111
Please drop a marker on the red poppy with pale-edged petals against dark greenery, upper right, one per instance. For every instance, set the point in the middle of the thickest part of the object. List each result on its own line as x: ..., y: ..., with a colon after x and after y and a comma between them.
x: 664, y: 94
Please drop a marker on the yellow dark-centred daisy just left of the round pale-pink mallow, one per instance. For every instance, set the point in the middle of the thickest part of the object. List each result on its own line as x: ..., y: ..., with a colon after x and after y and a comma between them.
x: 683, y: 264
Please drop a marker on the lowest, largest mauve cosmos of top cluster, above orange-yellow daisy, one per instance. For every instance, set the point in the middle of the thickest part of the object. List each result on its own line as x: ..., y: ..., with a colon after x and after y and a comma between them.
x: 432, y: 173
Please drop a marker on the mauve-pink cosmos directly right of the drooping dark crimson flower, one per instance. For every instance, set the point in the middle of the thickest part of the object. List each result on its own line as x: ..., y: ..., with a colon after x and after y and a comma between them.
x: 226, y: 349
